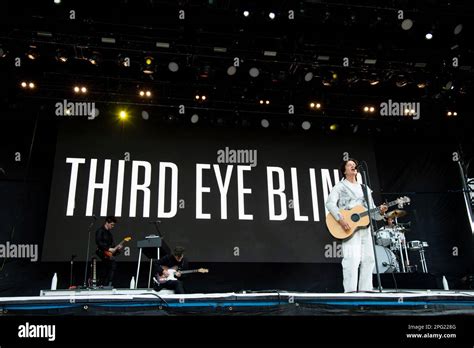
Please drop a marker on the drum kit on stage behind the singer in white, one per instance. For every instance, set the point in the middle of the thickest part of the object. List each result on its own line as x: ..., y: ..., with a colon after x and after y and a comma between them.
x: 392, y: 247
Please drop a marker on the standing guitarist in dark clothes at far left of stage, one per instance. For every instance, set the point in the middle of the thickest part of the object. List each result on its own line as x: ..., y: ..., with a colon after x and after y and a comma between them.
x: 105, y: 242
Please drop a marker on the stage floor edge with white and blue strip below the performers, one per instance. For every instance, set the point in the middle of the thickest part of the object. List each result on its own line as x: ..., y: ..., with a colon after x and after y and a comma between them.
x: 150, y: 302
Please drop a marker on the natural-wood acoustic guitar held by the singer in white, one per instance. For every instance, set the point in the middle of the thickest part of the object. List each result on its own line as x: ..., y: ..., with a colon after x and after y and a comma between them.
x: 356, y: 218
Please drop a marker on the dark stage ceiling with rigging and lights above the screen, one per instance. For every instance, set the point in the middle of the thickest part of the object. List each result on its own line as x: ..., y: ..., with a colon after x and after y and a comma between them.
x: 306, y: 61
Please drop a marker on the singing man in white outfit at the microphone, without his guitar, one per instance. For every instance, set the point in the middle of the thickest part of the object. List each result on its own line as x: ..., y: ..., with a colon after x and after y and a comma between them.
x: 357, y: 250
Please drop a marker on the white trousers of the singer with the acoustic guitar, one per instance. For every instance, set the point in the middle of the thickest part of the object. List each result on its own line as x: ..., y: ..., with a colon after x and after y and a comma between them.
x: 358, y: 251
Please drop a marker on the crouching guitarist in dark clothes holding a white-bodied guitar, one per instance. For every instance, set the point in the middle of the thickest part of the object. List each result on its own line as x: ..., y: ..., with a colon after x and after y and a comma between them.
x: 175, y: 260
